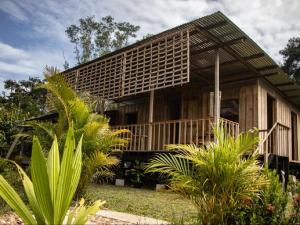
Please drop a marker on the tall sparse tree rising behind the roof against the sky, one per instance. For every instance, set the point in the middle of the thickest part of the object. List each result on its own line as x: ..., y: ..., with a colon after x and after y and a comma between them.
x: 93, y: 39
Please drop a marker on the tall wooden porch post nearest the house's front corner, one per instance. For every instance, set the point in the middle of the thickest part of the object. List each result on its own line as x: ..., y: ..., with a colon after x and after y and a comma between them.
x: 217, y: 88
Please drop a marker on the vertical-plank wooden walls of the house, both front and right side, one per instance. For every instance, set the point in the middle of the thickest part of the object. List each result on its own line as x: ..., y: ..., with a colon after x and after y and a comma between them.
x: 195, y: 103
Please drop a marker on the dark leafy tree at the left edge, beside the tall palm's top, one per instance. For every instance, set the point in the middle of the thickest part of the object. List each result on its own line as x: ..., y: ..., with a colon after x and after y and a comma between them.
x: 24, y: 96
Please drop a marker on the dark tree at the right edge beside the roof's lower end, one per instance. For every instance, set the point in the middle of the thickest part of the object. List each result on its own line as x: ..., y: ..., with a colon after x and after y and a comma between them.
x: 291, y: 58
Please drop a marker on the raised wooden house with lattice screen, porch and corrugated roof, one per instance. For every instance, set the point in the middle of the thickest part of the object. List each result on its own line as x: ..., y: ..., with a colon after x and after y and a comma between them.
x: 165, y: 86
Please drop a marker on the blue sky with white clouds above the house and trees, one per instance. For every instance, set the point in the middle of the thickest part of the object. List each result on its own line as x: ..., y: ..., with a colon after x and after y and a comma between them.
x: 32, y: 32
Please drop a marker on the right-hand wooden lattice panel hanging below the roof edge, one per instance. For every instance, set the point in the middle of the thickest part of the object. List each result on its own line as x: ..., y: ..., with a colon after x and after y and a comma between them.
x: 157, y: 65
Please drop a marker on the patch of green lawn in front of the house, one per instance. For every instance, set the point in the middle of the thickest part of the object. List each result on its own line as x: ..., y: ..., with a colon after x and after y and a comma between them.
x: 160, y: 205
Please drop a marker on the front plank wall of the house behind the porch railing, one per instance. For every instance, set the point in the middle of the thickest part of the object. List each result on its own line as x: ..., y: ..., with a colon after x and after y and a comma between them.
x: 195, y: 104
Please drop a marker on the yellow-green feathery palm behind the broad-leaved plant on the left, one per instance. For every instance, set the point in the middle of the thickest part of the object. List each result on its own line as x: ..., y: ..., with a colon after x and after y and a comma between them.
x: 98, y: 139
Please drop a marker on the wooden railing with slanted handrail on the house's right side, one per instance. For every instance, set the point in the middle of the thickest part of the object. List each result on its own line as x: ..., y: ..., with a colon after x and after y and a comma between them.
x: 274, y: 141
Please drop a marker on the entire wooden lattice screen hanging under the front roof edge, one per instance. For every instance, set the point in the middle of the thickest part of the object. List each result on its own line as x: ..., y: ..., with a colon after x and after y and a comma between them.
x: 156, y: 64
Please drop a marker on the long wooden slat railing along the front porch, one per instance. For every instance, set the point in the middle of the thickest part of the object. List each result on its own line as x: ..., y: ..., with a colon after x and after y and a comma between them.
x: 185, y: 131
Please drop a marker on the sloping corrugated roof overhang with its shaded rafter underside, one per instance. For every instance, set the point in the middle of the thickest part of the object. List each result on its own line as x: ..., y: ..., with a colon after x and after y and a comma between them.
x: 240, y: 57
